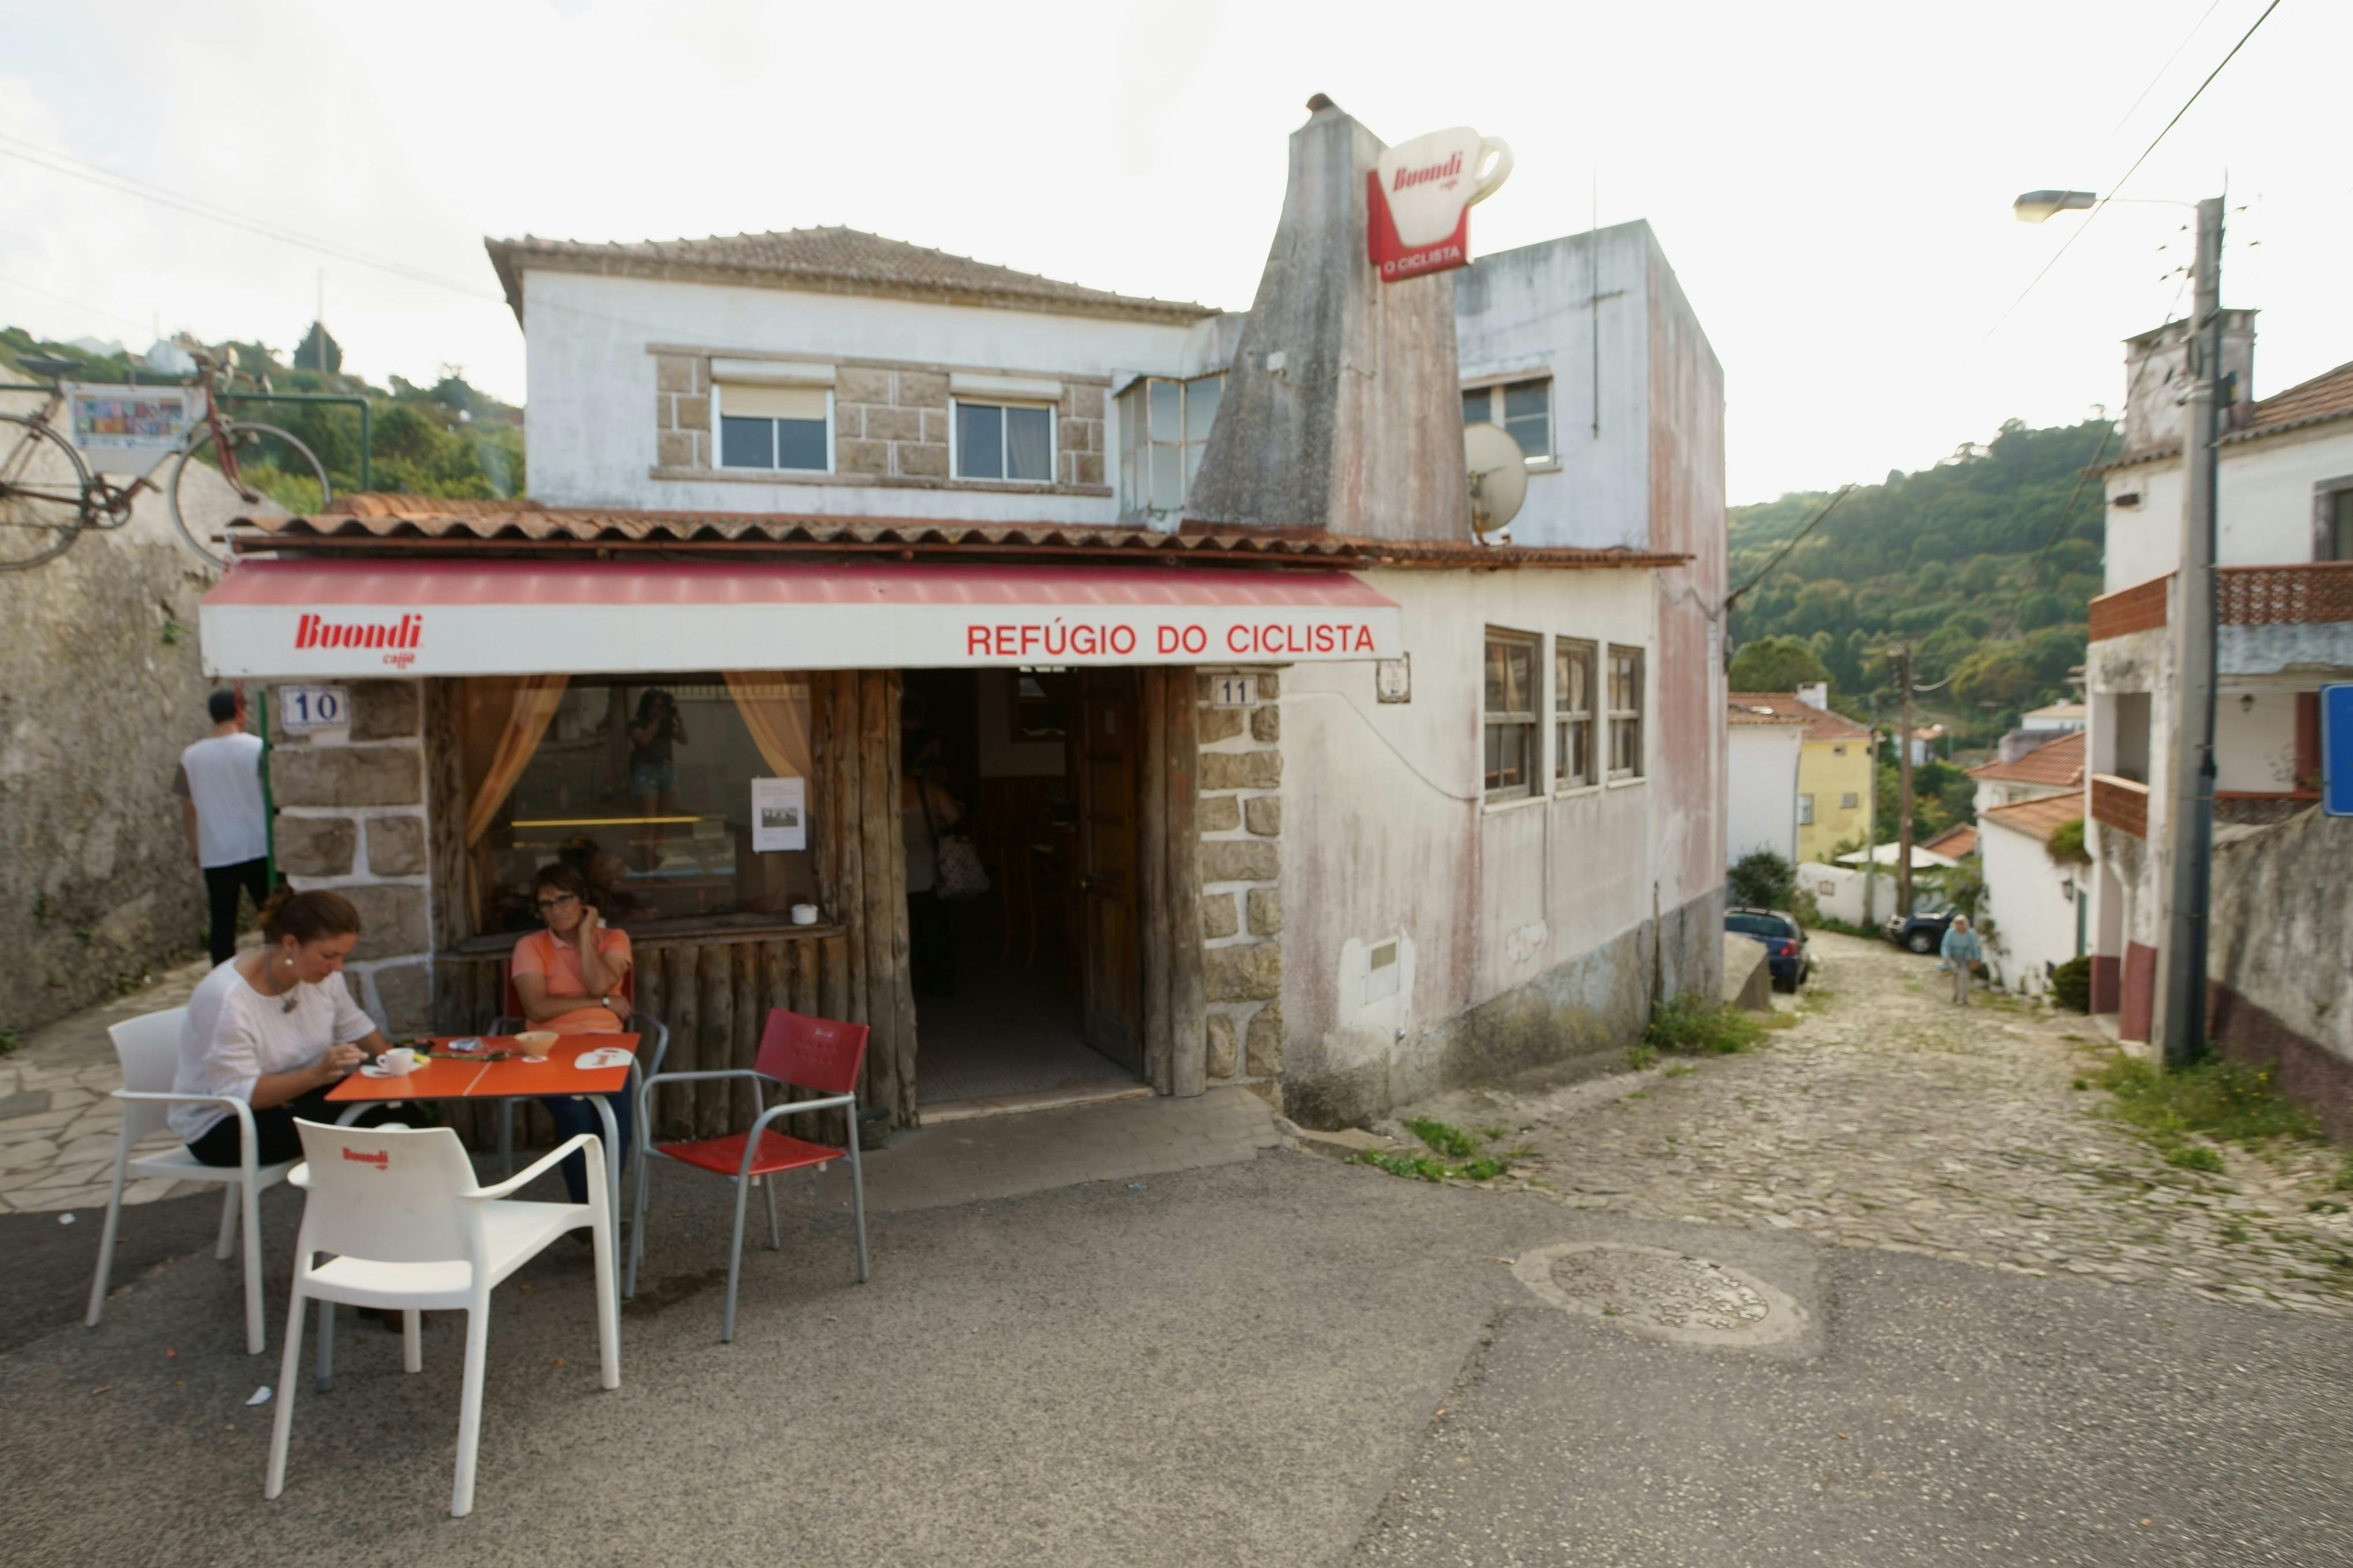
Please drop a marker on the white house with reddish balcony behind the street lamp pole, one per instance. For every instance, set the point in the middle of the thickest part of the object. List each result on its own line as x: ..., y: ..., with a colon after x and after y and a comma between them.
x: 2286, y: 629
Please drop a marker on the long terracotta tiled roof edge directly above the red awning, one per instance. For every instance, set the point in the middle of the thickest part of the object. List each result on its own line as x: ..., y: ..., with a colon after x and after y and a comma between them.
x: 385, y: 525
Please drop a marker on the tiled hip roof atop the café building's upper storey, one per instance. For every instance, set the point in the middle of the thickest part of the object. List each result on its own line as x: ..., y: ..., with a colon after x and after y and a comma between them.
x: 832, y: 262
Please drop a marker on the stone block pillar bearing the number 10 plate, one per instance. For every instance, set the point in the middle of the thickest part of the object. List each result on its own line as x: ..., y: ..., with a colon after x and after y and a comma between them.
x: 352, y: 817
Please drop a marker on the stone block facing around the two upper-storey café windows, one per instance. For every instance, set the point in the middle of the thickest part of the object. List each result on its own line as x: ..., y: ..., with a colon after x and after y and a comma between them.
x: 891, y: 427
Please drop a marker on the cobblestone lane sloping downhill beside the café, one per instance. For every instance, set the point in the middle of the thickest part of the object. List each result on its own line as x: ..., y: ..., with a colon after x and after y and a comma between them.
x: 1886, y: 1118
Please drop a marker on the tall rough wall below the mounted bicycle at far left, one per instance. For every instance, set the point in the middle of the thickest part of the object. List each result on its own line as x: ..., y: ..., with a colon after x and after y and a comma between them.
x: 102, y: 683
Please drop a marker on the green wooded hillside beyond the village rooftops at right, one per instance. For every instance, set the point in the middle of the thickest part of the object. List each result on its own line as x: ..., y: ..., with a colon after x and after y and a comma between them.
x: 1978, y: 563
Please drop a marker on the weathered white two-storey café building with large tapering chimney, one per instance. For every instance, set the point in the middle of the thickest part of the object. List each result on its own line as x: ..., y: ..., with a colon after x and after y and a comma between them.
x: 1286, y: 779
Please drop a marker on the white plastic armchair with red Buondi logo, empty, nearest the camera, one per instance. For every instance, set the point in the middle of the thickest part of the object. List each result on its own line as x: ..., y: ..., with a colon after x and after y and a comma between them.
x: 415, y: 1233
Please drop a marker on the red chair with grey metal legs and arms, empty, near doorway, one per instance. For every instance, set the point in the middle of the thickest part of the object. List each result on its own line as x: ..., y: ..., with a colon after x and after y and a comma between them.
x: 796, y: 1052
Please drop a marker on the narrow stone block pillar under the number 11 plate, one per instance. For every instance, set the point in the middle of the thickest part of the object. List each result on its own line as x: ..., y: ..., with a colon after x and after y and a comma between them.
x: 1241, y: 883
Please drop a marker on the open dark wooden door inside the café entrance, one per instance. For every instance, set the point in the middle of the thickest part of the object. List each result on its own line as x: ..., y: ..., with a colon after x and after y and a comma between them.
x: 1112, y: 970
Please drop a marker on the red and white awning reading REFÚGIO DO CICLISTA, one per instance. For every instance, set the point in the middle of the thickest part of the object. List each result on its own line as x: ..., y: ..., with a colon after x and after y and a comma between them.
x: 519, y: 617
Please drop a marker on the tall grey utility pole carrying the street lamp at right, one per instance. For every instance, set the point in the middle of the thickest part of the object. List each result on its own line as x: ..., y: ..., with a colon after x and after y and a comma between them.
x: 2189, y: 829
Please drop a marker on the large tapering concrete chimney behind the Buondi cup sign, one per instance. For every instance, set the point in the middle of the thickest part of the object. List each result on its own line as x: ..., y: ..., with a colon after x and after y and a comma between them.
x: 1342, y: 410
